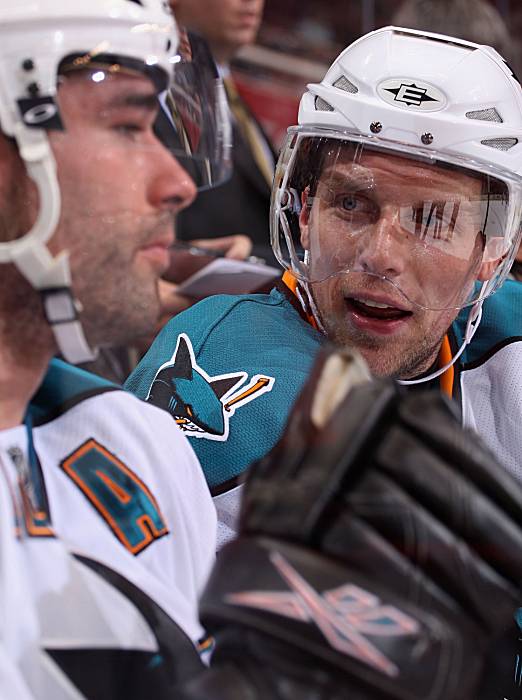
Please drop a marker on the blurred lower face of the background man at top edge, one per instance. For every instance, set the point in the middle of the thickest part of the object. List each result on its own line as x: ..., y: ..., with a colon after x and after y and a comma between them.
x: 228, y: 23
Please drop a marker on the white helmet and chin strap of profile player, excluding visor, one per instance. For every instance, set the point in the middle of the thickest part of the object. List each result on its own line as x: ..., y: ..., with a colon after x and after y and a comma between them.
x: 35, y: 37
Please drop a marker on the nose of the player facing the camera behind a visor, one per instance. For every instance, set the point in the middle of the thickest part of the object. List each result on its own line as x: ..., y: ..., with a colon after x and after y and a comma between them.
x: 381, y: 249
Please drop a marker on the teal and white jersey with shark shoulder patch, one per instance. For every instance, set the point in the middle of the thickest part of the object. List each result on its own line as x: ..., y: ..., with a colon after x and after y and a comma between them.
x: 229, y: 369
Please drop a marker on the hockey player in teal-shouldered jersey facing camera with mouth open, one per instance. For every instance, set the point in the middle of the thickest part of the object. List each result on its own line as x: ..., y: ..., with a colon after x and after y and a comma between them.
x: 396, y: 214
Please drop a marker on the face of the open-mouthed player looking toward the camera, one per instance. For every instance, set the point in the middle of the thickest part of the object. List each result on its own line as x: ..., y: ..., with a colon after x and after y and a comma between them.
x: 377, y: 305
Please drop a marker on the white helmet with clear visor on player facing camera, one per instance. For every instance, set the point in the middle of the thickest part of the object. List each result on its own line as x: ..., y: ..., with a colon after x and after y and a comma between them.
x: 449, y: 110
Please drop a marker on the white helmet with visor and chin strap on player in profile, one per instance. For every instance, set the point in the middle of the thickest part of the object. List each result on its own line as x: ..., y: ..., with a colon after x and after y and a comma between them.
x: 40, y: 41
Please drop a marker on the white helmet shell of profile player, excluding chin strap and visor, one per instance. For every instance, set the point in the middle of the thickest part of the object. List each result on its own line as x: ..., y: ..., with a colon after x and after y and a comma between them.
x: 45, y: 31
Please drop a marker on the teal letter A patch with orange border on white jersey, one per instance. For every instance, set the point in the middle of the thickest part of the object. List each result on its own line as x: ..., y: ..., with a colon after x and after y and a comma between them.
x: 118, y: 494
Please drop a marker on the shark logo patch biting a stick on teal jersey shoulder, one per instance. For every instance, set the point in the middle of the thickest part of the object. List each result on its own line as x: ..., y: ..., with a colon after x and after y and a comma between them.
x: 202, y: 405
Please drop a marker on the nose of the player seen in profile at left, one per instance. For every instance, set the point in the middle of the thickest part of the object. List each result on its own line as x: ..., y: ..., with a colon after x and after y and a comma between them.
x: 171, y: 187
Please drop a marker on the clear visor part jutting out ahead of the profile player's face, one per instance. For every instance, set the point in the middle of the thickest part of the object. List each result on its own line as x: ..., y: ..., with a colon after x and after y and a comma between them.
x: 193, y: 121
